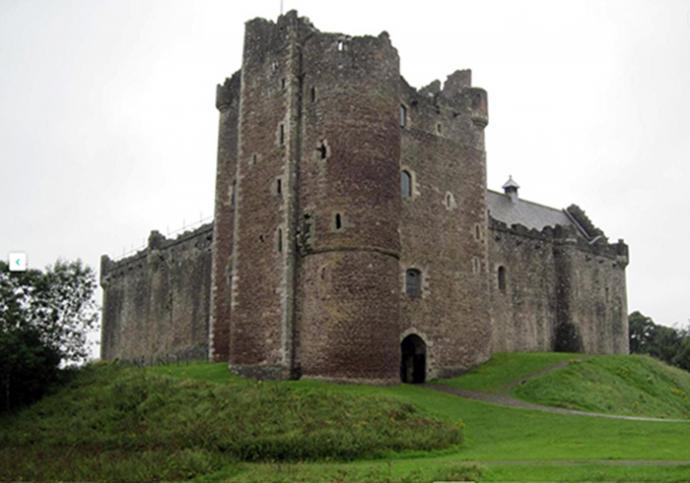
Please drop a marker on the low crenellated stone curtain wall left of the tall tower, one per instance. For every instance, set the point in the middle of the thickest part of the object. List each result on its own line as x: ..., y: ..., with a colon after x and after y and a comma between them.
x: 156, y: 302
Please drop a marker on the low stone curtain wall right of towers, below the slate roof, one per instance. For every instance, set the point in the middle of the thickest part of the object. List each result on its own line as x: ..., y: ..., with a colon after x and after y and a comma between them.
x: 559, y: 292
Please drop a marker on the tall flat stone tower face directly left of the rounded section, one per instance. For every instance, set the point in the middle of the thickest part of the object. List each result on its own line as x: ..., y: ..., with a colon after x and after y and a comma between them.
x: 260, y: 339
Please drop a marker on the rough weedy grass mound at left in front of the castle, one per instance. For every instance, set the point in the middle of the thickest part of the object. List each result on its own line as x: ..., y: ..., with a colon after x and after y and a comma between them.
x: 142, y: 424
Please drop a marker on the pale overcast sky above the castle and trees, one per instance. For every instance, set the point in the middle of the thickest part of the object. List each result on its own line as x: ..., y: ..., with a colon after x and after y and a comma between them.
x: 108, y: 127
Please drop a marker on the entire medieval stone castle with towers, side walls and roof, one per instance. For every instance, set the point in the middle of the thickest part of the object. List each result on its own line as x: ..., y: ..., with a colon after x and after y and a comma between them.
x: 354, y: 237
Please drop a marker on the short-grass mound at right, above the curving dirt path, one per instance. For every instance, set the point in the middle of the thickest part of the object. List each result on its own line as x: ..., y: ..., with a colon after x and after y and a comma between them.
x: 628, y: 385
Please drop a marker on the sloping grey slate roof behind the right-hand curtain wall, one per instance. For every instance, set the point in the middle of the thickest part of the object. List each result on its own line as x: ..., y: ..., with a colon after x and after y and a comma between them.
x: 527, y: 213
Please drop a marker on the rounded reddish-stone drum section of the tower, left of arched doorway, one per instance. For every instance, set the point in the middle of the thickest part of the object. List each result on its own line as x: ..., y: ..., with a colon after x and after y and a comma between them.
x: 349, y: 205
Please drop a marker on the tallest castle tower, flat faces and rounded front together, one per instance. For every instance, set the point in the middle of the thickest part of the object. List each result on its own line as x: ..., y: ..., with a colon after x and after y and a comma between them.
x: 306, y: 247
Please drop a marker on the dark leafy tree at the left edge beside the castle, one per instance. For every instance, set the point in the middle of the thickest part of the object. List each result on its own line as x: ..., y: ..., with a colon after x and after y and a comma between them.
x: 44, y: 321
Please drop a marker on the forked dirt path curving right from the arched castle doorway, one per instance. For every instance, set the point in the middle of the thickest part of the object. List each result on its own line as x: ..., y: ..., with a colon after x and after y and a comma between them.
x: 509, y: 401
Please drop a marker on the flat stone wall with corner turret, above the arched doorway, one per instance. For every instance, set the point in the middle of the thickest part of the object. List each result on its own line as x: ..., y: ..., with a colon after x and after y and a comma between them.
x: 443, y: 223
